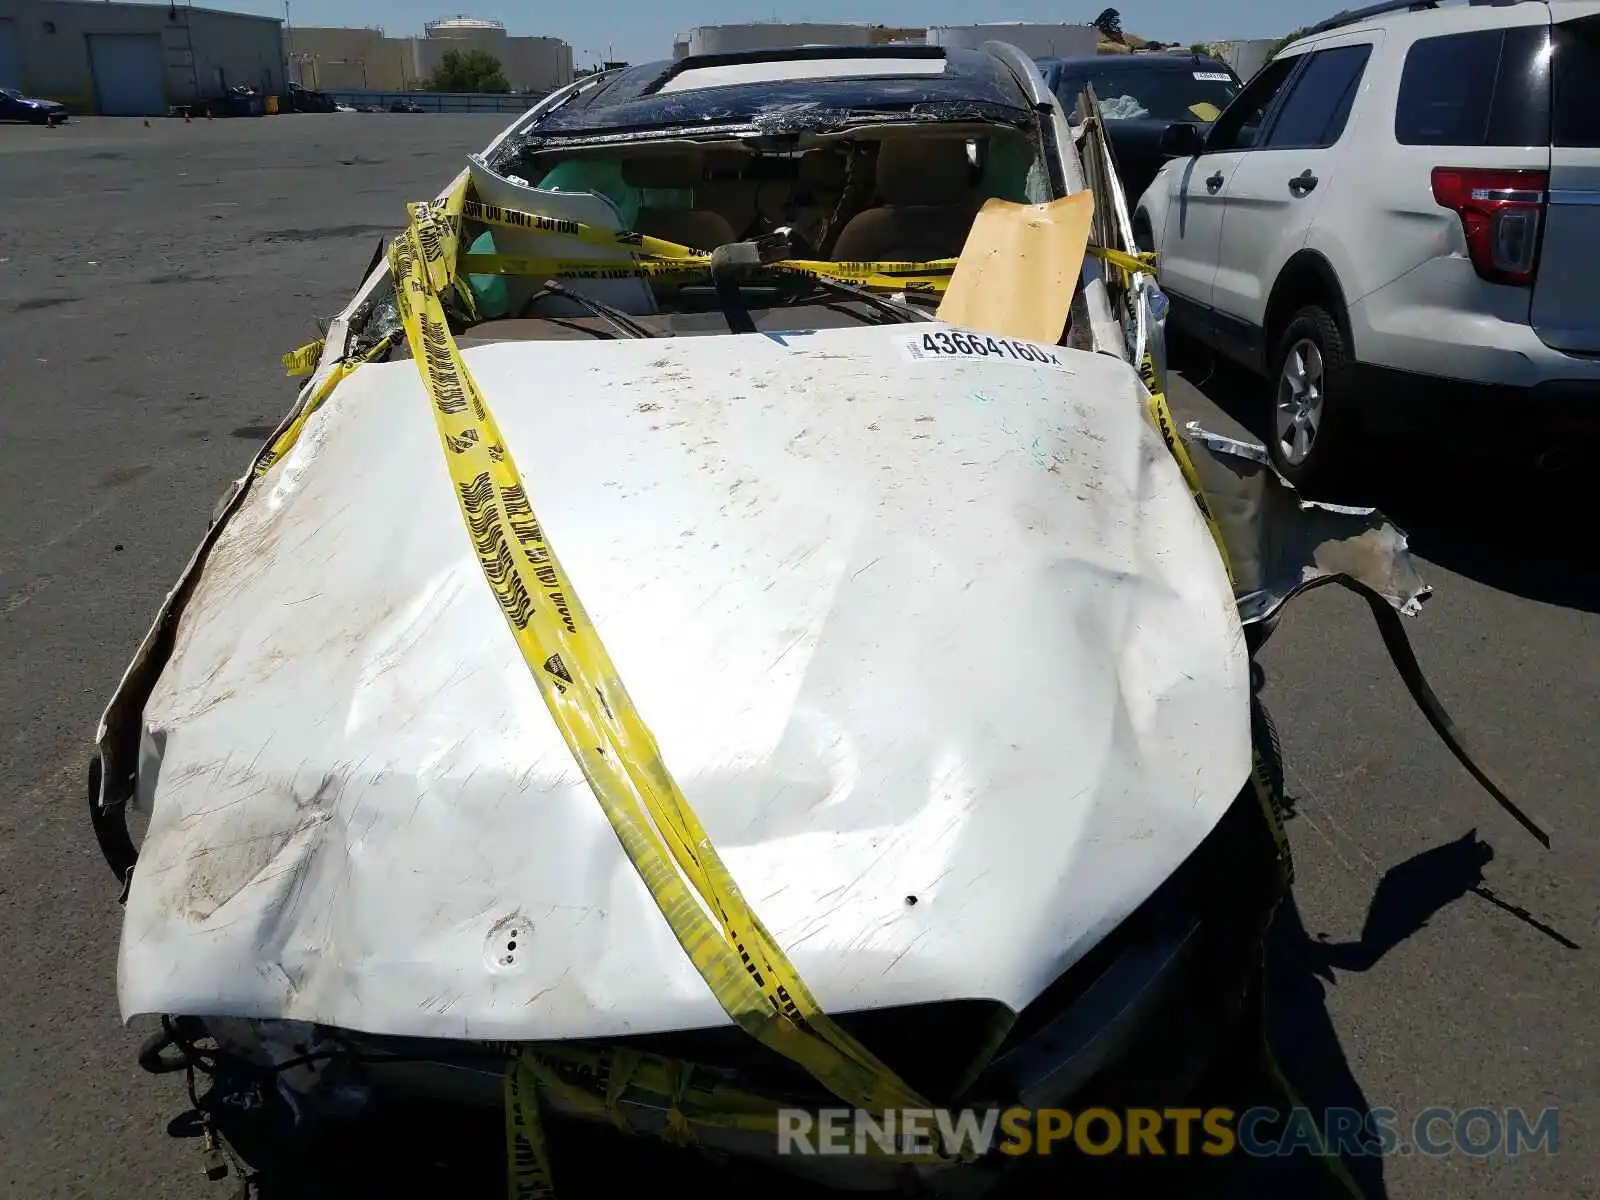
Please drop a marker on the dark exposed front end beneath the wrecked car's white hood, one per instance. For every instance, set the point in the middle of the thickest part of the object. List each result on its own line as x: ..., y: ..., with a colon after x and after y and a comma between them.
x: 1137, y: 1023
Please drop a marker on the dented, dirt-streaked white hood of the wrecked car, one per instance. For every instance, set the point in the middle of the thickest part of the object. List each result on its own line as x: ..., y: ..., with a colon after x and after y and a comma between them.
x: 940, y: 650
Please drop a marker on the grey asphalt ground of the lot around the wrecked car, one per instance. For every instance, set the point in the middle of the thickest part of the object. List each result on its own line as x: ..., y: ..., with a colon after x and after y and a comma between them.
x: 150, y: 281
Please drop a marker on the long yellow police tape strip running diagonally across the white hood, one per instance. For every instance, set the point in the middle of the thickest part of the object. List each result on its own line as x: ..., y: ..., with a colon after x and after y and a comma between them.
x: 730, y: 948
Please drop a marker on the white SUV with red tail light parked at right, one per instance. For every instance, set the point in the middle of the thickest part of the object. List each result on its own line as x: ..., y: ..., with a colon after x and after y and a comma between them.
x: 1404, y: 207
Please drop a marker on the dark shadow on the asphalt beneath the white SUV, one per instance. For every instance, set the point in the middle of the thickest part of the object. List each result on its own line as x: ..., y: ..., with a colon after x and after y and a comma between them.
x: 1489, y: 519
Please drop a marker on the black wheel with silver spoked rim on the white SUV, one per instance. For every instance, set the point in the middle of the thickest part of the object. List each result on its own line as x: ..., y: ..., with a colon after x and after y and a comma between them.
x: 1310, y: 401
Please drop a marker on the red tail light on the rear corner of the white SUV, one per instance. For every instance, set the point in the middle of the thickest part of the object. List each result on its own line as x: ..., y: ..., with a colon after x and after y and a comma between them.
x: 1502, y: 215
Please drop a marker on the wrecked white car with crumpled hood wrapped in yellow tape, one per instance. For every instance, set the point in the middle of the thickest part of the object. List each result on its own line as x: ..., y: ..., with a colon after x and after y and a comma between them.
x: 727, y: 626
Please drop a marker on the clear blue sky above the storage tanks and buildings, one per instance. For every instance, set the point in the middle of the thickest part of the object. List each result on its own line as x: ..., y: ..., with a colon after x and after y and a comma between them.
x: 642, y: 30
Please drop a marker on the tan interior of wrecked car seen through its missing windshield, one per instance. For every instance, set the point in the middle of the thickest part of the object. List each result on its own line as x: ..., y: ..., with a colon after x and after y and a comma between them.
x: 881, y: 196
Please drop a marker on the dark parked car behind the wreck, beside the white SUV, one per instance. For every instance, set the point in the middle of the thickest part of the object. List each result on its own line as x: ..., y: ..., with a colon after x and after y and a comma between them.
x: 1140, y: 97
